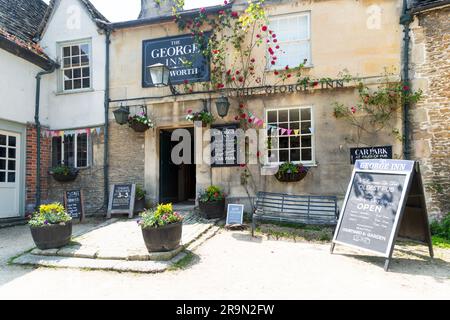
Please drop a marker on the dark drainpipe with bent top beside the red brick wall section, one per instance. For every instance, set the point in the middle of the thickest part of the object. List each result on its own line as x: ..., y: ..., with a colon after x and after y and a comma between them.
x: 38, y: 132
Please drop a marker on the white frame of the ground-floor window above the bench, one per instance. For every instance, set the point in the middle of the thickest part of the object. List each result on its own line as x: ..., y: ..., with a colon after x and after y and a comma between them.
x: 310, y: 163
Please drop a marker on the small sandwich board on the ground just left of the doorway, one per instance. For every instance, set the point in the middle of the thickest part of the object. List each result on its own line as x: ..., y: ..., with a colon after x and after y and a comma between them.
x: 121, y: 199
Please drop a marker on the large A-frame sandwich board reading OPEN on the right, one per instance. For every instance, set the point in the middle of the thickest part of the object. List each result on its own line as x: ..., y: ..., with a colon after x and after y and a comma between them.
x: 385, y: 200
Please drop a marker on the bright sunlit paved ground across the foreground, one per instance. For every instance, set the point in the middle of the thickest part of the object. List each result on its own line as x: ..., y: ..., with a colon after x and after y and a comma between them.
x: 232, y: 265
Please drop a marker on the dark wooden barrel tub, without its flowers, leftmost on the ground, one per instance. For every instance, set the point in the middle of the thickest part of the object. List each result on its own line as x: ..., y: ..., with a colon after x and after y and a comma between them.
x: 52, y: 236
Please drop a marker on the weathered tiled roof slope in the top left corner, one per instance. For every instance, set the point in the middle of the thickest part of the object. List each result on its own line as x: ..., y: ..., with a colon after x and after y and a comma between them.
x: 21, y: 18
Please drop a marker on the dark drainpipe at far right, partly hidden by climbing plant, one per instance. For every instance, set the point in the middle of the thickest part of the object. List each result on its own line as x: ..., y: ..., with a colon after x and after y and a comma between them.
x: 405, y: 20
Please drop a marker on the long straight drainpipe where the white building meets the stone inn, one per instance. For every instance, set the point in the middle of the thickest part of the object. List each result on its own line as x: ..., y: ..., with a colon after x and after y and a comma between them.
x: 107, y: 97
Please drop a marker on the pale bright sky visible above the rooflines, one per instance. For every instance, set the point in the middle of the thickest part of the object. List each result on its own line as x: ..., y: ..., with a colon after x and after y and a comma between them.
x: 122, y: 10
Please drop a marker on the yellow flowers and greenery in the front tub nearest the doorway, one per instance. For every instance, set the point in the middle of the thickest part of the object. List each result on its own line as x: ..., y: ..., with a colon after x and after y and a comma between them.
x: 162, y: 216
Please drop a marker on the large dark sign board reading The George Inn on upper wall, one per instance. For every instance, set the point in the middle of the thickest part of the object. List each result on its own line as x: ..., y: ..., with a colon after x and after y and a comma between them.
x: 181, y: 54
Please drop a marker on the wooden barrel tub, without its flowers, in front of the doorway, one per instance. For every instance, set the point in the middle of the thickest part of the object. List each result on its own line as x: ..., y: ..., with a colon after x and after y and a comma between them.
x: 163, y: 239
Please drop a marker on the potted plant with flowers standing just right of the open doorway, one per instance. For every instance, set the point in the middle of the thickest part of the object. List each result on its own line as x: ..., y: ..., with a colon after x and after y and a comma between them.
x: 212, y: 203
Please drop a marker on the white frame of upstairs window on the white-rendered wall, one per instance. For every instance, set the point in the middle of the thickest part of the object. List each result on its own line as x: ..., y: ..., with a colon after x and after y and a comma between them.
x: 61, y: 46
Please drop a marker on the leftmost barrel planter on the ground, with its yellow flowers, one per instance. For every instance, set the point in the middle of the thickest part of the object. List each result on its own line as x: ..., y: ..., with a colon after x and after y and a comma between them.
x: 51, y: 226
